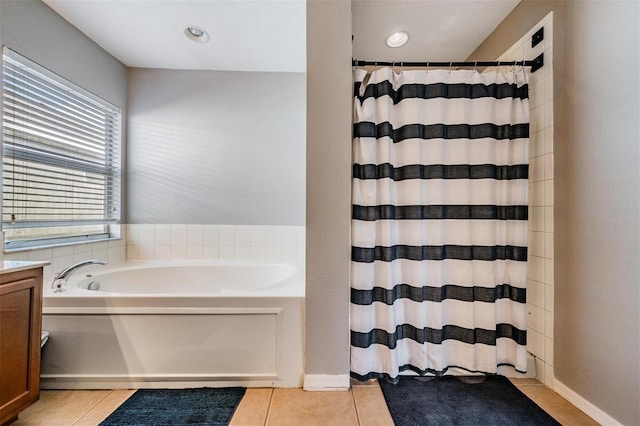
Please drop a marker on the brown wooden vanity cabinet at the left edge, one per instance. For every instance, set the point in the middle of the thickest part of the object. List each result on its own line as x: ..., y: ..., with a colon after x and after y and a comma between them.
x: 20, y: 329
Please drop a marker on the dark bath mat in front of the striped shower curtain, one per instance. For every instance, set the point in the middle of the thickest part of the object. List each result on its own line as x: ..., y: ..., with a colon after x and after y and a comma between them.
x: 450, y: 401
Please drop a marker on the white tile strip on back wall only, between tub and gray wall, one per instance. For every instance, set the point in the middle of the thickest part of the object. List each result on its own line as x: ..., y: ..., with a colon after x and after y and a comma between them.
x: 224, y: 242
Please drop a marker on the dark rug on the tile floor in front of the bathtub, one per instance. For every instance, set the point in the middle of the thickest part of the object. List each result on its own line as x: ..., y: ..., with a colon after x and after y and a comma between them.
x: 201, y: 406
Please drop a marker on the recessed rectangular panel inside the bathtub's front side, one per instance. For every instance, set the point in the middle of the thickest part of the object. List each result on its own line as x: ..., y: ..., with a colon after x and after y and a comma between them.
x: 166, y: 345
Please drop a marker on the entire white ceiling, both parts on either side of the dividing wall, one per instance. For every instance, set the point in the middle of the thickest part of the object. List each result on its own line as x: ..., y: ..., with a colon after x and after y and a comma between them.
x: 270, y: 35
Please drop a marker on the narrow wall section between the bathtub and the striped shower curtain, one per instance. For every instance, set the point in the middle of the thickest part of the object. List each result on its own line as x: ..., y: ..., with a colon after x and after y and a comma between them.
x: 329, y: 89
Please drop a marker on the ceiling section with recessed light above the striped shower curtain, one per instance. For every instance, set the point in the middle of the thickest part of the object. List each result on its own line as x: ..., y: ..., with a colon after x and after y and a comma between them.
x: 439, y: 30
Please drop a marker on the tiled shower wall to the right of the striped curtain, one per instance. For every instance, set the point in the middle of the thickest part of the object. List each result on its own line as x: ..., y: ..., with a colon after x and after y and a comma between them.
x: 540, y: 275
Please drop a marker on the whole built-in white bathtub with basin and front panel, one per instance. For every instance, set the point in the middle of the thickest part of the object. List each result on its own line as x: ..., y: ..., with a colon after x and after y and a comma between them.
x: 175, y: 324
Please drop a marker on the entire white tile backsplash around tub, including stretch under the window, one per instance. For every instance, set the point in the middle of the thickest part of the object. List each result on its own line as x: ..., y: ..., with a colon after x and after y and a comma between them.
x: 157, y: 242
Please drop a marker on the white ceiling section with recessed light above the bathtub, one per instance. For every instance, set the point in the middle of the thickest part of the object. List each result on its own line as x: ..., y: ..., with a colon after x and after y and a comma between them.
x: 245, y: 35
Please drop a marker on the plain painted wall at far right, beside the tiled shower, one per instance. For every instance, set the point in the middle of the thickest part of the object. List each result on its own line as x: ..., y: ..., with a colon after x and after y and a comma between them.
x: 597, y: 201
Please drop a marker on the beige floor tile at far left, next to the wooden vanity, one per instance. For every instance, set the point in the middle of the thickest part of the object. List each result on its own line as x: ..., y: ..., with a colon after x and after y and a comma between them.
x: 58, y: 408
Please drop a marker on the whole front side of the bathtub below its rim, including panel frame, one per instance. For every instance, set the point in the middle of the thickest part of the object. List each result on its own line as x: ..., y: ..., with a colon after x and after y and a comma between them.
x: 173, y: 343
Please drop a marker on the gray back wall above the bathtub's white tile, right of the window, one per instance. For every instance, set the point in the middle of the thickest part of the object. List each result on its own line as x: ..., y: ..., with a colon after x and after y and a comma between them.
x: 213, y: 147
